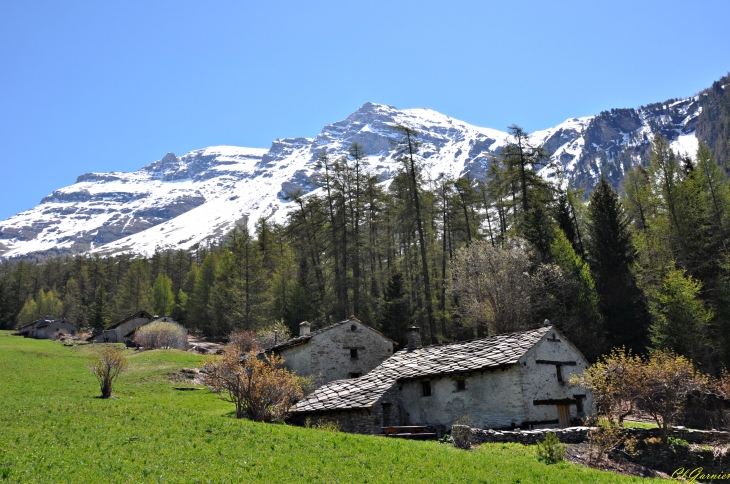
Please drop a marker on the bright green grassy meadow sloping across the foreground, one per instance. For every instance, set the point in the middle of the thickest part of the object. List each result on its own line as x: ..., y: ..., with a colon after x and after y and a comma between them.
x: 54, y: 429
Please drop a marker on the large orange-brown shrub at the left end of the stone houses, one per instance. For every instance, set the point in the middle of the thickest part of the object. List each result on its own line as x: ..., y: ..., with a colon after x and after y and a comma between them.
x: 259, y: 388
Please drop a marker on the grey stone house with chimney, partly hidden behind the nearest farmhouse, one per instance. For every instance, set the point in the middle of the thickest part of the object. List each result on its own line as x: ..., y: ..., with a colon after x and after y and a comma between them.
x: 347, y: 349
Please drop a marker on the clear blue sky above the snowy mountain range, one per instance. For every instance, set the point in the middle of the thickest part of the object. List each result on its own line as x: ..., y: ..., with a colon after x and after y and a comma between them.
x: 103, y: 86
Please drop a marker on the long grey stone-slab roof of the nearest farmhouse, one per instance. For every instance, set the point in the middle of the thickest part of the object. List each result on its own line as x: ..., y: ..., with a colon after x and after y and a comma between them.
x: 481, y: 354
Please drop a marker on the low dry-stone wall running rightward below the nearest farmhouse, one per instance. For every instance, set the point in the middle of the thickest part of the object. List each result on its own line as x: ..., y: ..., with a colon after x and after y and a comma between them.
x: 576, y: 435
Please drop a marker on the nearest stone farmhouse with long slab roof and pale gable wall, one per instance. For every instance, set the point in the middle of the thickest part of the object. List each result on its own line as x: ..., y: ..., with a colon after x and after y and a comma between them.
x: 505, y: 381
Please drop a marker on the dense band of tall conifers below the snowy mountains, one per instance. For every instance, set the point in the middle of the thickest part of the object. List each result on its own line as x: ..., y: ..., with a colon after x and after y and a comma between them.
x: 641, y: 266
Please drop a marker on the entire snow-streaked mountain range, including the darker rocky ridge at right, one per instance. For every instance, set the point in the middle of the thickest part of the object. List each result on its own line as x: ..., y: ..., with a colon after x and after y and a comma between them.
x: 177, y: 202
